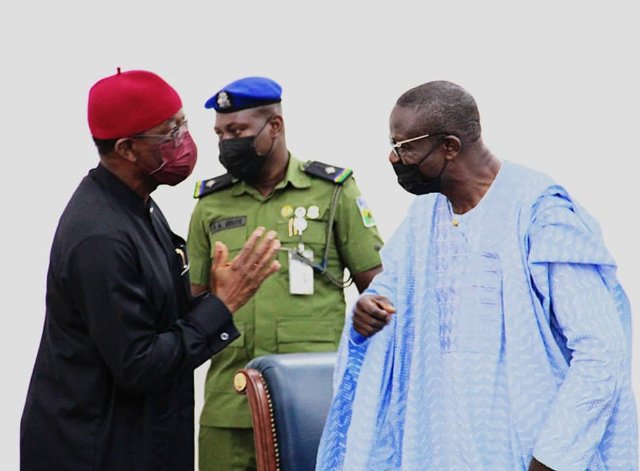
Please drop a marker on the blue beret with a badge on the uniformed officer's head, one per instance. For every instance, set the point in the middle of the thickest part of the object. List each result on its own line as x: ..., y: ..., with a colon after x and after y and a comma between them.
x: 248, y: 92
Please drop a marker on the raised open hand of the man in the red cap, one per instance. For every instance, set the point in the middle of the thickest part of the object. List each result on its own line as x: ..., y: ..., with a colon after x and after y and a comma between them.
x: 235, y: 282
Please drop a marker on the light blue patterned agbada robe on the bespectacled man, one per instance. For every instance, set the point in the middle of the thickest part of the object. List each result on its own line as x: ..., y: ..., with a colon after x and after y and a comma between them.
x: 512, y: 337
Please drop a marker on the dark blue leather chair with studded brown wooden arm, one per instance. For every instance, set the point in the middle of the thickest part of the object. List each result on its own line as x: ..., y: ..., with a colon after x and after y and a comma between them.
x: 289, y: 395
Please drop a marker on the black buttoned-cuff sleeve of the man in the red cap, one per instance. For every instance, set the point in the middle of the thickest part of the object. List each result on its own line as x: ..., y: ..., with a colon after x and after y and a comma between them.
x: 124, y: 324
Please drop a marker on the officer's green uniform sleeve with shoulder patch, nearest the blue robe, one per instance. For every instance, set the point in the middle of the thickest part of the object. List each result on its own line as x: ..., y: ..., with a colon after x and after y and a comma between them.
x: 357, y: 237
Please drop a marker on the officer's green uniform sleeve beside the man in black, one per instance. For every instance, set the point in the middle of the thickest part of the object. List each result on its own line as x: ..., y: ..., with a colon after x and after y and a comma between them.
x: 199, y: 247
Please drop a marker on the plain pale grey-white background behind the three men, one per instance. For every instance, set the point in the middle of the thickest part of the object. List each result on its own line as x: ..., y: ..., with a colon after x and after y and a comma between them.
x: 556, y: 83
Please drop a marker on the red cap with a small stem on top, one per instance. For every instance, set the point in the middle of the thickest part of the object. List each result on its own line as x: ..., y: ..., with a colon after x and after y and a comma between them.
x: 129, y: 103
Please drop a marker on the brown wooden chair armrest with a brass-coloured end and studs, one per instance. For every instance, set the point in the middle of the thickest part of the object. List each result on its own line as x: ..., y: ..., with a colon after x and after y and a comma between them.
x: 250, y: 382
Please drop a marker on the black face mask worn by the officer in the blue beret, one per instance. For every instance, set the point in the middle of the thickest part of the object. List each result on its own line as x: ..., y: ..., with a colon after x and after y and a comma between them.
x: 240, y: 158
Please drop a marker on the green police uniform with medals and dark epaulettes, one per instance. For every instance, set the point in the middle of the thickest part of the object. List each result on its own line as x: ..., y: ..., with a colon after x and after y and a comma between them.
x: 275, y: 321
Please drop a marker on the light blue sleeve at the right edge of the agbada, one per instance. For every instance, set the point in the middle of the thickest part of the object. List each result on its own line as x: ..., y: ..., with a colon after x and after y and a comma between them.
x: 565, y: 260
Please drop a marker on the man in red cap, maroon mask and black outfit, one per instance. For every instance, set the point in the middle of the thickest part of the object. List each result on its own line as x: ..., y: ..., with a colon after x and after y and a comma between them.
x: 112, y: 386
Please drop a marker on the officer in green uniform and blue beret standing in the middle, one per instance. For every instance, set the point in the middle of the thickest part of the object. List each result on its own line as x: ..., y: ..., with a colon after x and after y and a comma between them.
x: 324, y: 225
